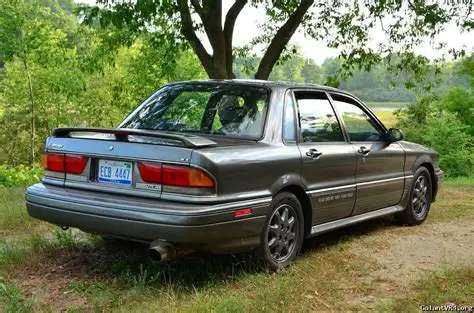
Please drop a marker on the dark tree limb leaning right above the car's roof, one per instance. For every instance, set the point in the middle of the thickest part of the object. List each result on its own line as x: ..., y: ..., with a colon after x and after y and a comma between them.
x: 281, y: 39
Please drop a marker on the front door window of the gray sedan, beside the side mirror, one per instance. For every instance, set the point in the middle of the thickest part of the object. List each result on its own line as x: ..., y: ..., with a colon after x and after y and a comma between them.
x: 359, y: 125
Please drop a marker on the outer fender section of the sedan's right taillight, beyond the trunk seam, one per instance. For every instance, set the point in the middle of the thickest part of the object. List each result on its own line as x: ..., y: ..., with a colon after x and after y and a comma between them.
x: 186, y: 177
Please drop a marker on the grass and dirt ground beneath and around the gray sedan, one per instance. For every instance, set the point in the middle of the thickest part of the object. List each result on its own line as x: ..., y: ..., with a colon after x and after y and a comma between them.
x: 376, y: 265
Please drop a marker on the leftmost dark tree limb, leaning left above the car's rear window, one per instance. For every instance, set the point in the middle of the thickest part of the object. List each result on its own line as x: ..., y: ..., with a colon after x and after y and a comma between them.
x: 188, y: 32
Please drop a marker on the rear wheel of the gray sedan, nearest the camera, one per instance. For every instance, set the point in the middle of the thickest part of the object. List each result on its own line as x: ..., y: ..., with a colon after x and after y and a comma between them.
x: 283, y: 233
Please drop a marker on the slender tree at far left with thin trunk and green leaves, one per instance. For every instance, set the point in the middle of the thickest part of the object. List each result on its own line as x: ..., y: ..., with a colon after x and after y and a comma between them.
x: 30, y: 34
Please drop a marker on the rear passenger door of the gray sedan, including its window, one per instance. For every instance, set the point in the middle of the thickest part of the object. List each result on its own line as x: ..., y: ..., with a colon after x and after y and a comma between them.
x: 328, y: 160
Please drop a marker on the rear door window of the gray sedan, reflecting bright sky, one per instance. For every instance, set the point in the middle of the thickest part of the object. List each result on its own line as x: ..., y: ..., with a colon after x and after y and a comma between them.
x: 317, y: 118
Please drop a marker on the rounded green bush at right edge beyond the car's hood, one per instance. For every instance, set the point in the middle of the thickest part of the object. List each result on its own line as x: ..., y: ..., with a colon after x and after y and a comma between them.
x: 445, y: 125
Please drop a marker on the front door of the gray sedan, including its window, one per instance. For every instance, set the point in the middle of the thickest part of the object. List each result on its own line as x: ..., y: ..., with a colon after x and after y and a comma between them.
x: 379, y: 177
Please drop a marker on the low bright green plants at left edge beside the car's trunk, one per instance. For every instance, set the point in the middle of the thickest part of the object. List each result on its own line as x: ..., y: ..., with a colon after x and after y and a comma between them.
x: 21, y: 175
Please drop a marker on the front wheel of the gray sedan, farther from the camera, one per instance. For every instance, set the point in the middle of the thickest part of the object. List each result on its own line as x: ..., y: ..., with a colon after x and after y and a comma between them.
x: 419, y: 202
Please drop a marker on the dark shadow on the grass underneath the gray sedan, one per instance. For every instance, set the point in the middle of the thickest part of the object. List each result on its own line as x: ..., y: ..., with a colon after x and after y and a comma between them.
x: 128, y: 264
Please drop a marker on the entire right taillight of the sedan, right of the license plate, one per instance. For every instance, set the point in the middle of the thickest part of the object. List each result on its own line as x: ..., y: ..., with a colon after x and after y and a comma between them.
x: 174, y: 175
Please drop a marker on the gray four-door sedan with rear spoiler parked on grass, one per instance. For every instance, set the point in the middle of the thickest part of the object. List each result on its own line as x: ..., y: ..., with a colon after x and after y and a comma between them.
x: 233, y: 165
